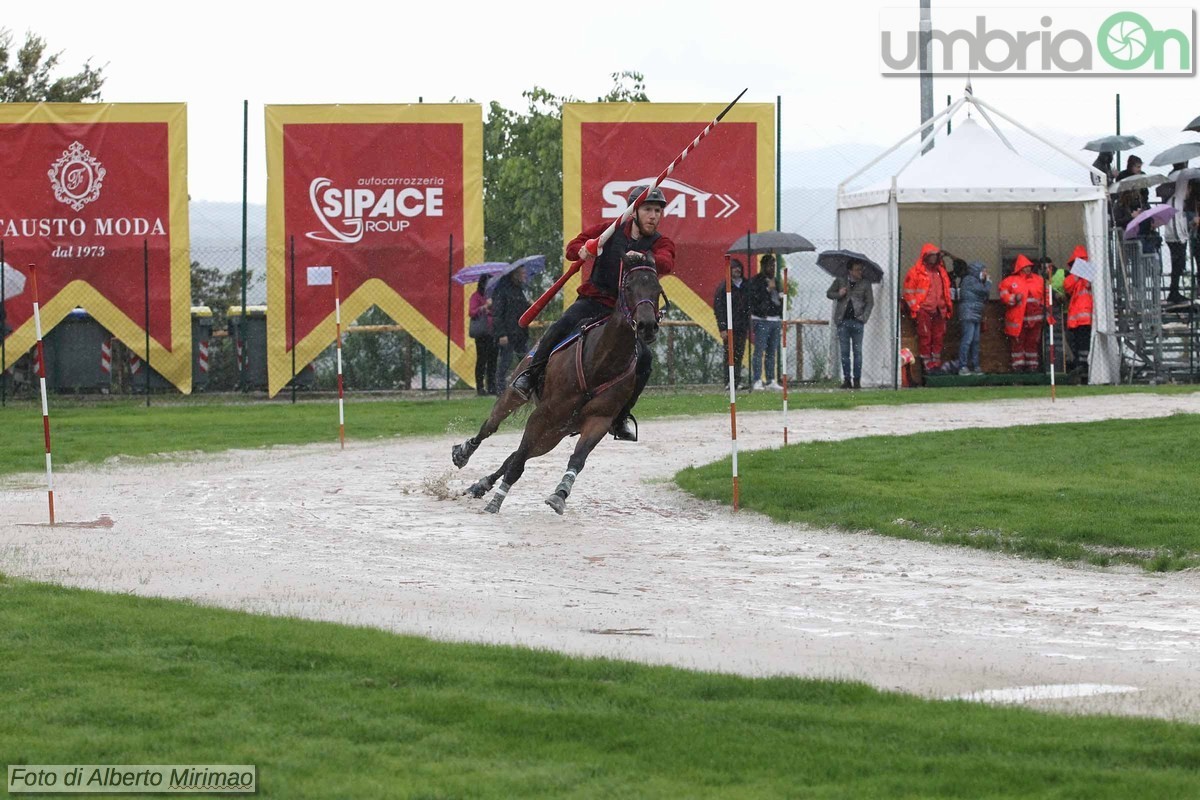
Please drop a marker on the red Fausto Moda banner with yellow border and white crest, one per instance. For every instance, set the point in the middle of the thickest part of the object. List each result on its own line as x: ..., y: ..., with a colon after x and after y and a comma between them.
x: 95, y: 195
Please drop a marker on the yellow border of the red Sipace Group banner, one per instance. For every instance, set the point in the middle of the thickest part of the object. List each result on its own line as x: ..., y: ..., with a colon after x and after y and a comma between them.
x: 373, y: 292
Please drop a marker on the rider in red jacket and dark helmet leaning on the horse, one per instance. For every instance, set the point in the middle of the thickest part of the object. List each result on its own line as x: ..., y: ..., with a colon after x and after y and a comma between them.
x: 638, y: 243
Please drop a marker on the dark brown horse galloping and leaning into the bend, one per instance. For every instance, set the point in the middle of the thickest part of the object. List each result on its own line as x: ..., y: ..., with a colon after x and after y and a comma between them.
x: 587, y: 384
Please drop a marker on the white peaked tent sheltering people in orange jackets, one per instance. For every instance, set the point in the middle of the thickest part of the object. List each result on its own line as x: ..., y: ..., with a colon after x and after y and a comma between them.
x: 975, y: 196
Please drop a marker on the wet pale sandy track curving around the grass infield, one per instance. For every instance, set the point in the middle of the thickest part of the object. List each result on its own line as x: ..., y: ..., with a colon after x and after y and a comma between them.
x: 377, y: 536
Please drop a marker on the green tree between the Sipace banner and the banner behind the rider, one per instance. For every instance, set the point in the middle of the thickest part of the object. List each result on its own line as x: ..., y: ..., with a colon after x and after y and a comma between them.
x: 524, y: 172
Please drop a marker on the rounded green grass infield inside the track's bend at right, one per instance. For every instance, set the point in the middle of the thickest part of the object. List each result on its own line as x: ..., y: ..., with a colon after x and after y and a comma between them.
x: 1103, y: 492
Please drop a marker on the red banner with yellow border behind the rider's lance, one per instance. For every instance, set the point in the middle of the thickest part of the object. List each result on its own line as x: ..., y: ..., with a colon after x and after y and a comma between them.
x: 725, y: 189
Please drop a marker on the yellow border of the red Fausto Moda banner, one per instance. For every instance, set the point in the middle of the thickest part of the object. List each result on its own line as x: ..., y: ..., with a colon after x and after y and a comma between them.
x: 175, y: 365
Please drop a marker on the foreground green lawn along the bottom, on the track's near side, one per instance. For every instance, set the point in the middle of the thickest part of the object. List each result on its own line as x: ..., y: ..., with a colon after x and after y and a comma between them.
x: 327, y: 712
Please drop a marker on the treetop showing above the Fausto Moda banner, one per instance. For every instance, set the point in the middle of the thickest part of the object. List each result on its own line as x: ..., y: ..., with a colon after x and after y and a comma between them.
x: 29, y: 79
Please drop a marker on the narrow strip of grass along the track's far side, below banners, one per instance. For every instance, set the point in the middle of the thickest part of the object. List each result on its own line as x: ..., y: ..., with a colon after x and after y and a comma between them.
x: 89, y: 431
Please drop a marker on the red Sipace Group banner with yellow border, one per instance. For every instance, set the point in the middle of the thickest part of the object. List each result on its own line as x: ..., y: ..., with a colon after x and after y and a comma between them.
x: 392, y: 199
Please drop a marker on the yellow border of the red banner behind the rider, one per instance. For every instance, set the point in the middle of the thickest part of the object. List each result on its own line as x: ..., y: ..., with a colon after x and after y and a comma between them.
x: 699, y: 309
